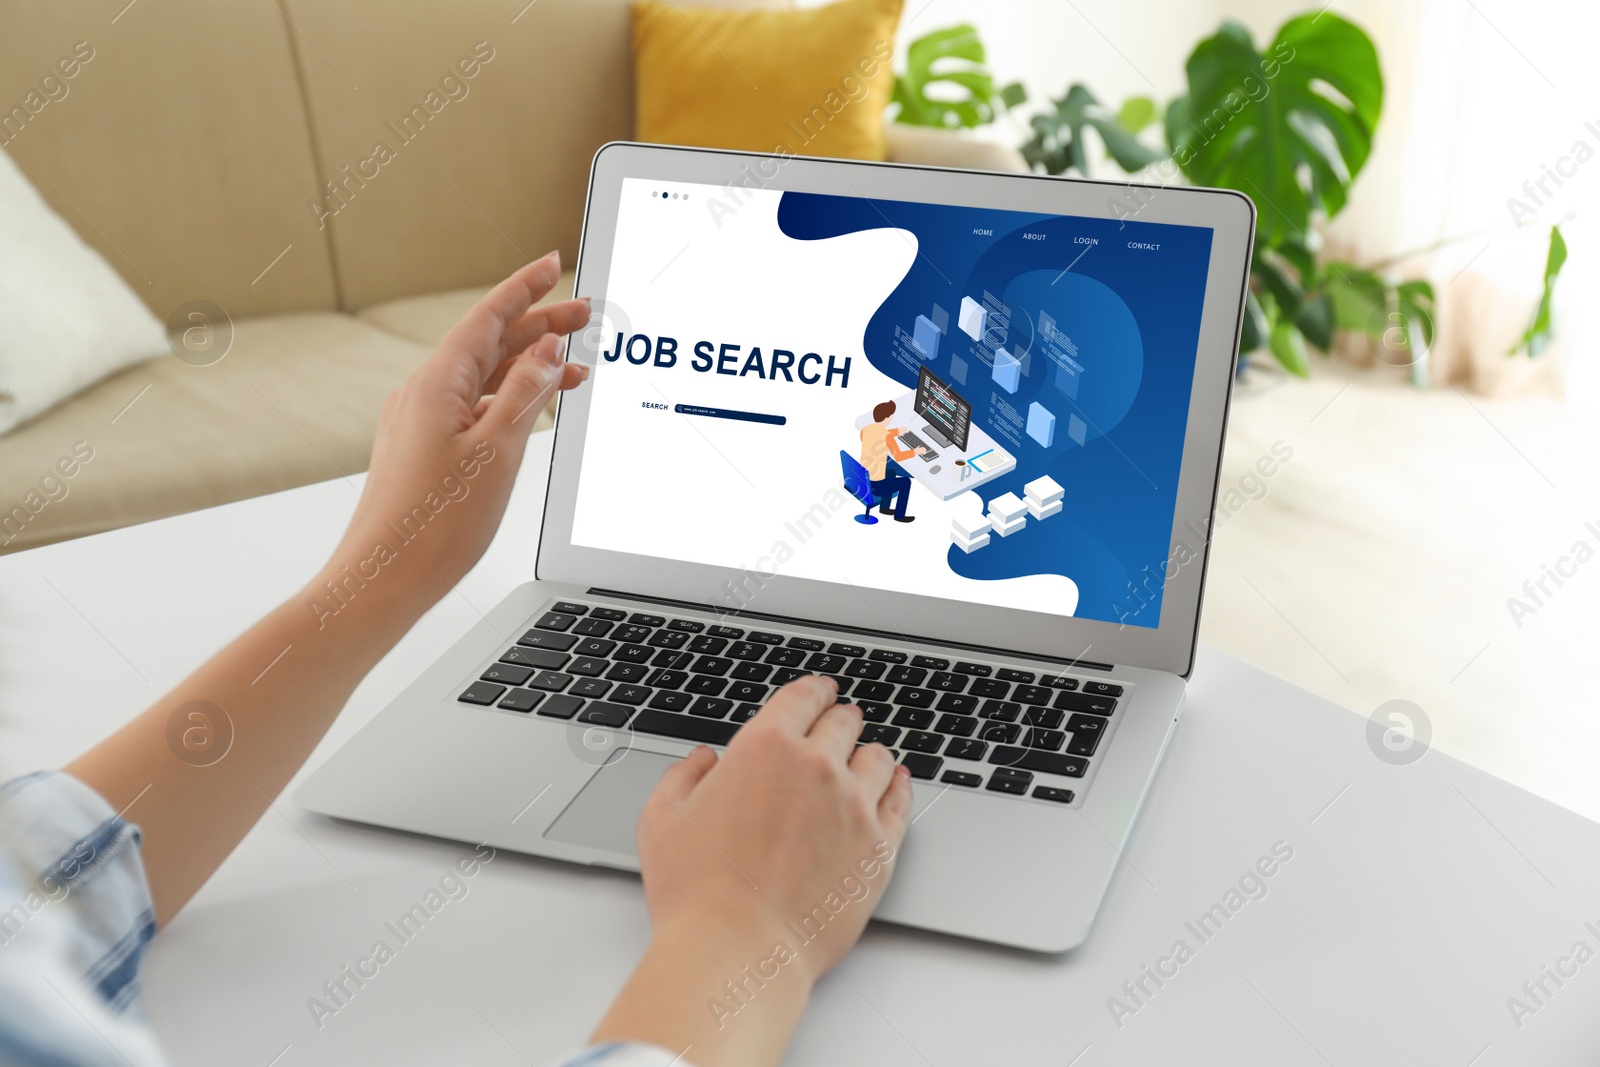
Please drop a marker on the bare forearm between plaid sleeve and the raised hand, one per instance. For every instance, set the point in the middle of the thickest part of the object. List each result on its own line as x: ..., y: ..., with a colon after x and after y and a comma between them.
x: 278, y: 687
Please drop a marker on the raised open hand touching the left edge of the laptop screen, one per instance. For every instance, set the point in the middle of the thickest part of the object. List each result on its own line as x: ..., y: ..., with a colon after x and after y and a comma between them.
x: 452, y: 438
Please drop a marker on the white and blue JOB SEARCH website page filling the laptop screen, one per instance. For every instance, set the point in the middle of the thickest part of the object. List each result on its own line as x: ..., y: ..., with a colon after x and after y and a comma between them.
x: 772, y: 362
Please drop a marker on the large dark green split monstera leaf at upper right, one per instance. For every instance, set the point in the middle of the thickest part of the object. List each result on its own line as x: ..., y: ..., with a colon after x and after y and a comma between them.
x: 1290, y: 127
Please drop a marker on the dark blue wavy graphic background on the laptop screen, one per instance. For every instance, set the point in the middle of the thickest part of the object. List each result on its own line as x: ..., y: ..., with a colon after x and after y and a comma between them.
x: 1135, y: 319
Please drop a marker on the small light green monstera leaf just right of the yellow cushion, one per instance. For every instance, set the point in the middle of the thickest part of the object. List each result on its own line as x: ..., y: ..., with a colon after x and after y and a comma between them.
x: 953, y: 62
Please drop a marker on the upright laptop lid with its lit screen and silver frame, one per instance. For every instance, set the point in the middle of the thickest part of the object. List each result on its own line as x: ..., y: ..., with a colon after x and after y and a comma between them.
x: 754, y: 316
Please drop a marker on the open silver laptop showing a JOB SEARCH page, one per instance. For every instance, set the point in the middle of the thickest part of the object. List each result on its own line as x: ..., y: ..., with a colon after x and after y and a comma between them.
x: 766, y: 334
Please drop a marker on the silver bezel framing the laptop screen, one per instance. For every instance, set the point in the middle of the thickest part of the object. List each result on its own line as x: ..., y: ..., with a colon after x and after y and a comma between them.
x: 1167, y: 647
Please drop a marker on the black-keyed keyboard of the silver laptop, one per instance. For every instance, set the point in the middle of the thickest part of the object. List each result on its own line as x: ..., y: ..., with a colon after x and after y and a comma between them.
x: 964, y: 724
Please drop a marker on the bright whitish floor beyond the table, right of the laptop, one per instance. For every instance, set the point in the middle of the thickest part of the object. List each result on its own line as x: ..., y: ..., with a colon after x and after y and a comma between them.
x: 1380, y: 562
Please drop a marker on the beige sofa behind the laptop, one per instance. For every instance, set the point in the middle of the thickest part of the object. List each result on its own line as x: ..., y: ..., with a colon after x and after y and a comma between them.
x: 225, y: 153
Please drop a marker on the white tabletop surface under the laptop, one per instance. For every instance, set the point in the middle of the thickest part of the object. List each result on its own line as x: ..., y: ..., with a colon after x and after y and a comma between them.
x: 1417, y: 903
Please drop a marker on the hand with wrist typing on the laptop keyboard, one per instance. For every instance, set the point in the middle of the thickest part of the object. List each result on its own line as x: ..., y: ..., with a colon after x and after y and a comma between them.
x: 761, y: 873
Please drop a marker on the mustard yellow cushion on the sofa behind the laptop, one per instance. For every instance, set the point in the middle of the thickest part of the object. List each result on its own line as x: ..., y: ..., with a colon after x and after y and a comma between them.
x: 807, y: 82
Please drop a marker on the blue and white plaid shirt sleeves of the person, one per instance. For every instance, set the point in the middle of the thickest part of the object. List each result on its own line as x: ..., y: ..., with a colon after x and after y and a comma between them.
x: 76, y: 919
